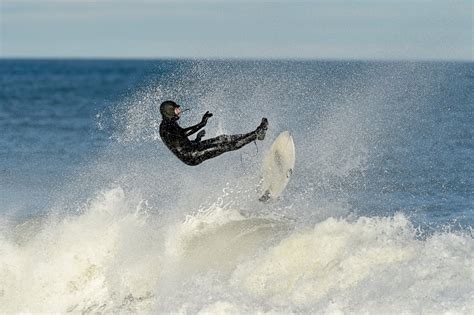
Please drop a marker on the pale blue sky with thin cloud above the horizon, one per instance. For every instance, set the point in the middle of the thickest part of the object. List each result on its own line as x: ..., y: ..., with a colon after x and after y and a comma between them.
x: 384, y: 29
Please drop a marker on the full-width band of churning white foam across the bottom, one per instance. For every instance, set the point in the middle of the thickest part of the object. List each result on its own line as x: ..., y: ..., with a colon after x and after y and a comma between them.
x: 115, y: 258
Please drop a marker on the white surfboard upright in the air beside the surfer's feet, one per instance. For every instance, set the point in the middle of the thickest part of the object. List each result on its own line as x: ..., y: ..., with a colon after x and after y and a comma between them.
x: 278, y: 165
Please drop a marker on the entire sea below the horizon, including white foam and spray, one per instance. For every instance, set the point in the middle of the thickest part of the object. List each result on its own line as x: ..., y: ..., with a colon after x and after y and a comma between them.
x: 96, y: 215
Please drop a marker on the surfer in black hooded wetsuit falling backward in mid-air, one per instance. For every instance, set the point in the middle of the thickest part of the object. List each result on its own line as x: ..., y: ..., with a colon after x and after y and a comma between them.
x: 194, y: 152
